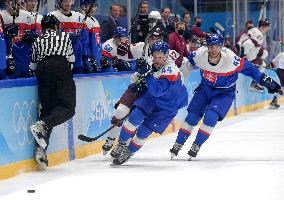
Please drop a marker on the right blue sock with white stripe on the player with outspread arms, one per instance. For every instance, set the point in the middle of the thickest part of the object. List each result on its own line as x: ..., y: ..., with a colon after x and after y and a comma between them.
x: 209, y: 122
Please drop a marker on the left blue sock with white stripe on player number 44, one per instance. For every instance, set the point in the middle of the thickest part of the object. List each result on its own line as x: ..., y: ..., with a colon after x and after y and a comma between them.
x: 129, y: 127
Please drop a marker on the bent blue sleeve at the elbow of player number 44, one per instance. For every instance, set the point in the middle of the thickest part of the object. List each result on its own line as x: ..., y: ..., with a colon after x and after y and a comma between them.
x: 157, y: 87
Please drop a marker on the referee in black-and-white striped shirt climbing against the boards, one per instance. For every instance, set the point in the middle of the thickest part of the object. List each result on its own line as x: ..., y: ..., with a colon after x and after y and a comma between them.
x: 56, y: 88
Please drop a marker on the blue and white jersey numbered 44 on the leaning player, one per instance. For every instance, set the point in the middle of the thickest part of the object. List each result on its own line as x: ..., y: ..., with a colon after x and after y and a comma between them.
x: 166, y: 91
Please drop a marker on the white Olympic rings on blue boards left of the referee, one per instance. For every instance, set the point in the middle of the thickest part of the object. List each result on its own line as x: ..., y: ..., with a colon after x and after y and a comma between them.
x: 24, y: 115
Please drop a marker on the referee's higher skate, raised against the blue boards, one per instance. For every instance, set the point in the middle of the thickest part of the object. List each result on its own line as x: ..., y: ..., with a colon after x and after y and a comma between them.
x: 39, y: 130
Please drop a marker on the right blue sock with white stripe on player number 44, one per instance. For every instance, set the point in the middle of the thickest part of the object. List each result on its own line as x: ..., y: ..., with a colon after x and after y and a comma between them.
x: 138, y: 141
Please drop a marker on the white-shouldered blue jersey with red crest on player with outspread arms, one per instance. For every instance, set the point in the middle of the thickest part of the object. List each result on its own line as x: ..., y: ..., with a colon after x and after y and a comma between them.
x: 225, y: 73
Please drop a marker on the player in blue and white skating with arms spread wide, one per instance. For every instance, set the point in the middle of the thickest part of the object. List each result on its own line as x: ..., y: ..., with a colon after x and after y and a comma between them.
x: 219, y: 68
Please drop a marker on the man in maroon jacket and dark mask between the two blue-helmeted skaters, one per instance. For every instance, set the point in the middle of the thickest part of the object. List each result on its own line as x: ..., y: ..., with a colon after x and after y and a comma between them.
x: 178, y: 43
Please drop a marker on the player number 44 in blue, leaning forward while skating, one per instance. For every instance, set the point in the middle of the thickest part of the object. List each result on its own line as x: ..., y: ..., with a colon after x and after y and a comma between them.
x: 156, y: 108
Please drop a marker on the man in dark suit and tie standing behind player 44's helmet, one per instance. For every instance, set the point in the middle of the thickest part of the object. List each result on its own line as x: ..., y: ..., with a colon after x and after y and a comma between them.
x: 166, y: 26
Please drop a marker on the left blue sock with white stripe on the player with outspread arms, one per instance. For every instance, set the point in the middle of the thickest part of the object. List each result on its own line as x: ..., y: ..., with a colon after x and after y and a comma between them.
x: 186, y: 129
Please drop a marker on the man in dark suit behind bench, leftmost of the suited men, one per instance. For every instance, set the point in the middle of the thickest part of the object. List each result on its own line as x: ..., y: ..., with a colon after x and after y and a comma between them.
x: 109, y: 25
